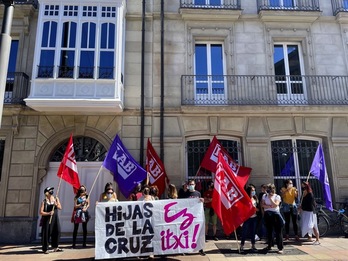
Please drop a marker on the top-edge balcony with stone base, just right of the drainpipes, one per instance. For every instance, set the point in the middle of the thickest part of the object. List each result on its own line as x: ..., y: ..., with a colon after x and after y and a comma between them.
x: 216, y: 10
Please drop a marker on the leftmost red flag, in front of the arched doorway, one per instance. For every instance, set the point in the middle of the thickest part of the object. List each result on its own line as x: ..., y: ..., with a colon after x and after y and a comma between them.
x: 68, y: 169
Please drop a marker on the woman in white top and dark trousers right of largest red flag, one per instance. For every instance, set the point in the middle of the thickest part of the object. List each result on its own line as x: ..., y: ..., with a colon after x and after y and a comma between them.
x: 273, y: 220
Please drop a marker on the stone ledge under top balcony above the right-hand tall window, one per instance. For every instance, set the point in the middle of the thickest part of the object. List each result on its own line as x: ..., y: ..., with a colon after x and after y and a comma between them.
x: 289, y: 16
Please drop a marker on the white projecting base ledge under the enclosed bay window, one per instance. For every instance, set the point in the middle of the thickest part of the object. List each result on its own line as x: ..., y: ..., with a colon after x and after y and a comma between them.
x: 79, y: 106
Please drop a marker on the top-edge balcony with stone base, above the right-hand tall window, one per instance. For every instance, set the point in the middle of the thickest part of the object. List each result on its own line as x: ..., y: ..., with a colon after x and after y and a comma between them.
x: 306, y: 11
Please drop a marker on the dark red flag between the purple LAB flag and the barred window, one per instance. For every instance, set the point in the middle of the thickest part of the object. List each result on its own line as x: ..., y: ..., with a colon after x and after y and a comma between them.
x: 155, y: 168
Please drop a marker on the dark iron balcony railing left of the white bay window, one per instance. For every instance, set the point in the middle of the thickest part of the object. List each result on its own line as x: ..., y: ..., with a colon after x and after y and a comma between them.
x: 17, y: 88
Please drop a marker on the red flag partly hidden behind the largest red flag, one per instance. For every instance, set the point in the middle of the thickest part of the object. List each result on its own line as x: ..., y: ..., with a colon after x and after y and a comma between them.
x: 210, y: 160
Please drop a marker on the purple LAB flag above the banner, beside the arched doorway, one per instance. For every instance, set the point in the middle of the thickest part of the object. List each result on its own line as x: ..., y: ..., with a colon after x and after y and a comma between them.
x: 127, y: 172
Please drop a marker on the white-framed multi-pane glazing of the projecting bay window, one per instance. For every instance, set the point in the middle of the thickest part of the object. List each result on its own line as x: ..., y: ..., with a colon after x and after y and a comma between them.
x: 85, y: 45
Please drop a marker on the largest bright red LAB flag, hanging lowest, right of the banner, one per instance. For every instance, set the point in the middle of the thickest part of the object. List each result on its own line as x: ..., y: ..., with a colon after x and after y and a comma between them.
x: 230, y: 201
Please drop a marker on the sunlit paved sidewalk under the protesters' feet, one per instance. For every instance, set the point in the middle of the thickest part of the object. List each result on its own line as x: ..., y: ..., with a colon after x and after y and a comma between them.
x: 331, y: 248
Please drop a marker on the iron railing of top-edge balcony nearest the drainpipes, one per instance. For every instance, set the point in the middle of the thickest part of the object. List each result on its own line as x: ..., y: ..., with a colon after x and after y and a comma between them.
x: 211, y: 4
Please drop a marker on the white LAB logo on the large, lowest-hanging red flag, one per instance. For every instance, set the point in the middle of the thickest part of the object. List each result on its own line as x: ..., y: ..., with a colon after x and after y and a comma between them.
x: 229, y: 191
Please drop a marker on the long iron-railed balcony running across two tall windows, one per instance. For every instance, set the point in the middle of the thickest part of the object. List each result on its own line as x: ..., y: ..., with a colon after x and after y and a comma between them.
x: 301, y: 90
